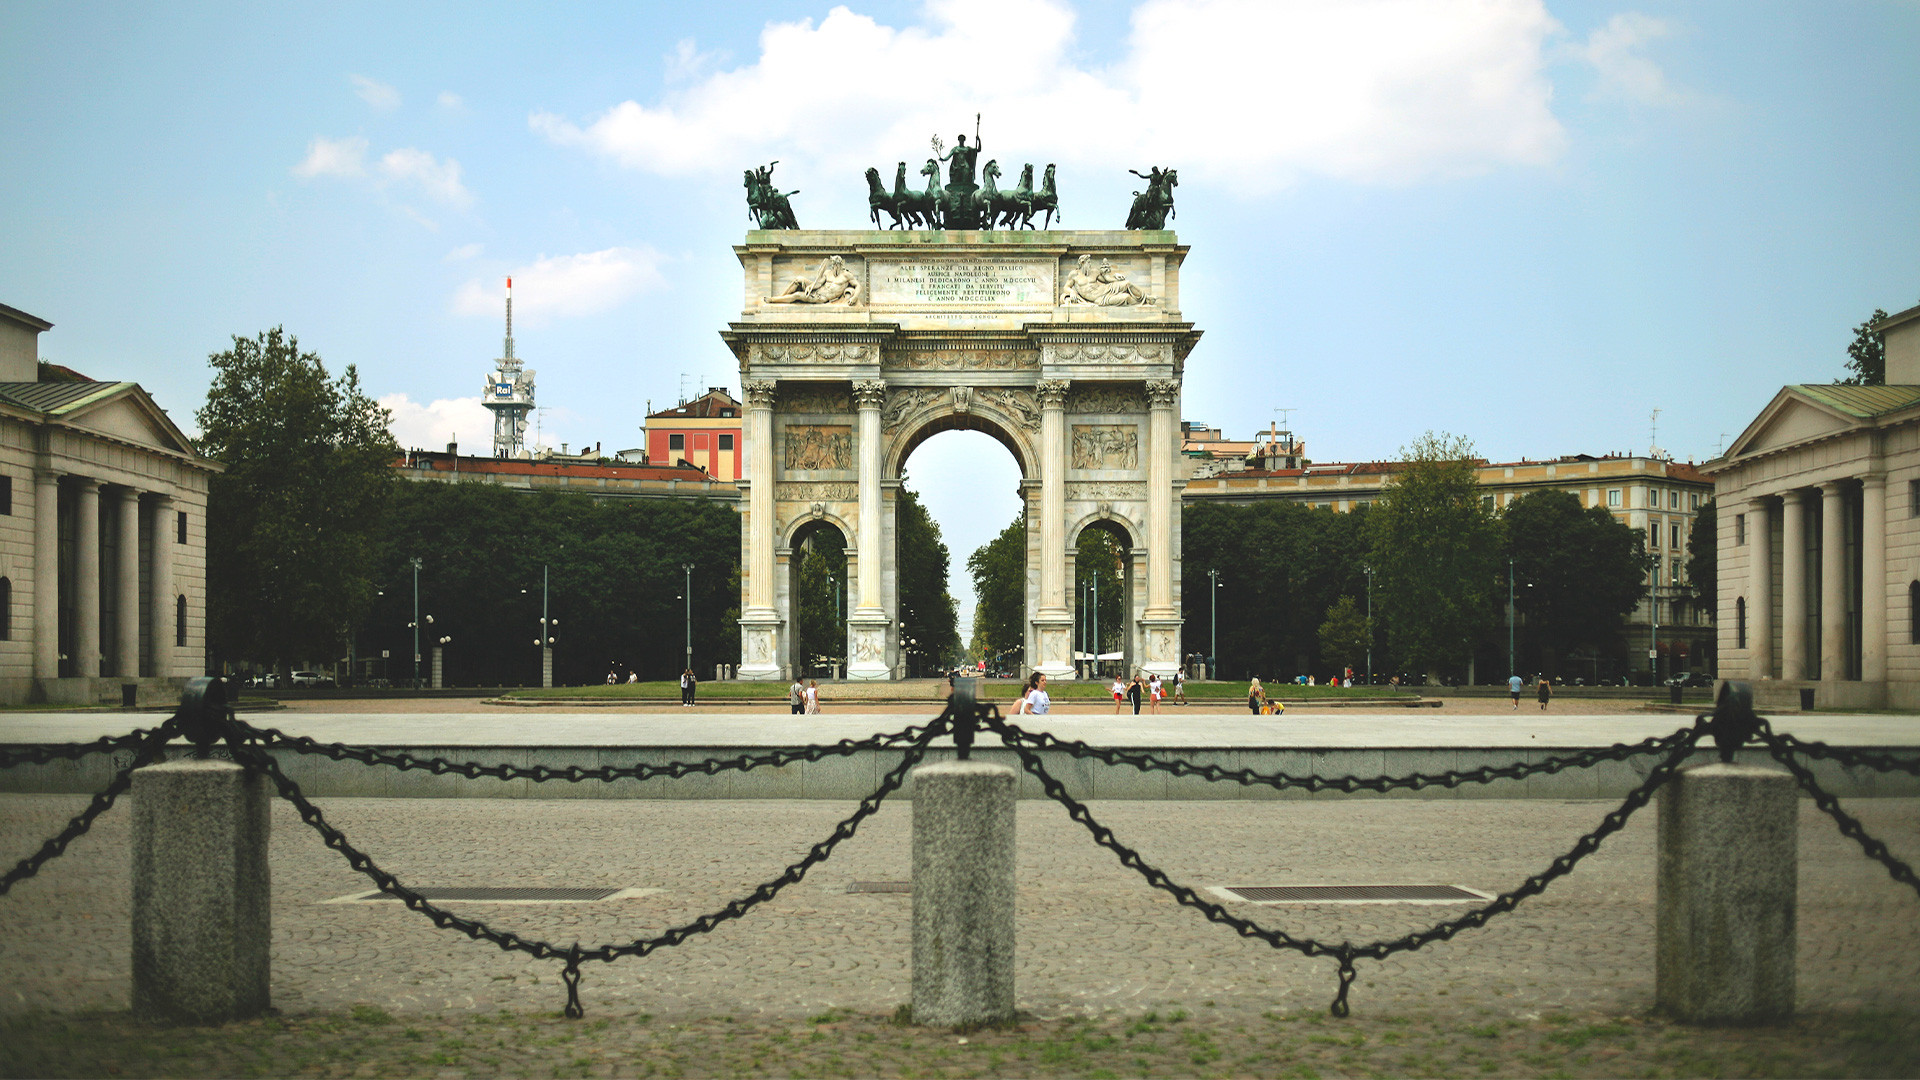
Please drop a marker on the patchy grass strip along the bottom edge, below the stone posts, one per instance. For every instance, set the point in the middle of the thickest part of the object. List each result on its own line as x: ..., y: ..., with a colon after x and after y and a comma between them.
x: 370, y: 1043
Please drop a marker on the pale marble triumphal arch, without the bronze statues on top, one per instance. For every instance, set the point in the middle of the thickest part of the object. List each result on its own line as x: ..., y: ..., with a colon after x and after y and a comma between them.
x: 1065, y: 347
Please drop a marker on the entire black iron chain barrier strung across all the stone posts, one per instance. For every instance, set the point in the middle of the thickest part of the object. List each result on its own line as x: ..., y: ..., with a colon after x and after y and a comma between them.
x: 208, y: 720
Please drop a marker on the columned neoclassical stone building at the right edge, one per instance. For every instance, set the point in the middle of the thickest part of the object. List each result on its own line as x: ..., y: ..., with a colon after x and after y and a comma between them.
x: 1819, y: 541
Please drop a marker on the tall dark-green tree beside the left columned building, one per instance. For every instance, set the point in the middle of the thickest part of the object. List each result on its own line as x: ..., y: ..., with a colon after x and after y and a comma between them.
x: 308, y: 472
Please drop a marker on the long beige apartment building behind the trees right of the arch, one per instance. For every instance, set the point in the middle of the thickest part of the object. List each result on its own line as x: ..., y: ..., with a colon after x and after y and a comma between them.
x: 1652, y: 495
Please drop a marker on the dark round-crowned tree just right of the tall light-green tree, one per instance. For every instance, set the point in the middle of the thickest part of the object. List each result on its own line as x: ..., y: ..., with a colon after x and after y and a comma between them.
x: 1581, y: 574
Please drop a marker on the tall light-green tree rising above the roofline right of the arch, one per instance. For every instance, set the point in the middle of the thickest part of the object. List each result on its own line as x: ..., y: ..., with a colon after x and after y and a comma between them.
x: 1433, y: 549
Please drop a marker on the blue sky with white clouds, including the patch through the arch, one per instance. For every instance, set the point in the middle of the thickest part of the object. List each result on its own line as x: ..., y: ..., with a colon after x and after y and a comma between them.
x: 1522, y: 222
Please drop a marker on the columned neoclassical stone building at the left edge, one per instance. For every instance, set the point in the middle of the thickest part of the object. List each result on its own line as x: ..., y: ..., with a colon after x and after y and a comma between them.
x: 103, y: 535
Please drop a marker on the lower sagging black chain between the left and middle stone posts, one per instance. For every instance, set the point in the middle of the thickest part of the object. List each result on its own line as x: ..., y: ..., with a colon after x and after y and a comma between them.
x: 256, y: 758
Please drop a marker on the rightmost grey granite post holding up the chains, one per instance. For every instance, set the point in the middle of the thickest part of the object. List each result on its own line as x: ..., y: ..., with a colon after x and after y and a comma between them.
x: 1727, y: 895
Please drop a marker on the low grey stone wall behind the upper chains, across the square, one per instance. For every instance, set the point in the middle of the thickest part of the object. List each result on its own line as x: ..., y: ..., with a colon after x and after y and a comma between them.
x: 857, y: 775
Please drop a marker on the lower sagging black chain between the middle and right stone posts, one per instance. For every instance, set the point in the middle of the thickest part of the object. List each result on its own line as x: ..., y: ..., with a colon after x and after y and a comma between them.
x: 1679, y: 749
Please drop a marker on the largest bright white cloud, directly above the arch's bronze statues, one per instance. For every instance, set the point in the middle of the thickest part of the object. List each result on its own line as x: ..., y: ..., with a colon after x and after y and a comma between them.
x: 1251, y: 93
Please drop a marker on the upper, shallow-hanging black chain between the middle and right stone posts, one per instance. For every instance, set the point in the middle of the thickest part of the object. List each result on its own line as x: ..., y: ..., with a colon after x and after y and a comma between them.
x: 1019, y: 739
